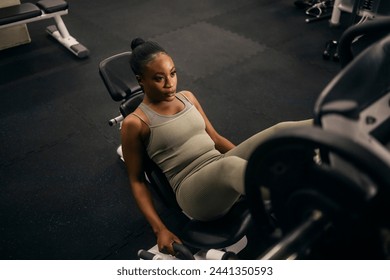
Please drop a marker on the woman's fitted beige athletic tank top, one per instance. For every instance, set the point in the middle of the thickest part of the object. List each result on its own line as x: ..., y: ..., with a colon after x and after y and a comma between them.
x: 179, y: 143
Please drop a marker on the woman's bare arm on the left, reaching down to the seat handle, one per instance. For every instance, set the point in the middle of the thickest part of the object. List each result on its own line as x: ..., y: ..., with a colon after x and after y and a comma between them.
x: 133, y: 153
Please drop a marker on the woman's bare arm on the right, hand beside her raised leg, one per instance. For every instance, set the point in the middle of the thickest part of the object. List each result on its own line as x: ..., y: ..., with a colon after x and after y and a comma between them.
x: 221, y: 143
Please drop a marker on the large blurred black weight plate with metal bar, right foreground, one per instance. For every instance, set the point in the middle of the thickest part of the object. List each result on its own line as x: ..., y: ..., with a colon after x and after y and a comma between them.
x: 325, y: 202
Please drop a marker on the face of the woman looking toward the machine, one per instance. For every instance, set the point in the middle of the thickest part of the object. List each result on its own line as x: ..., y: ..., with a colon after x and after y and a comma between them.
x: 159, y: 79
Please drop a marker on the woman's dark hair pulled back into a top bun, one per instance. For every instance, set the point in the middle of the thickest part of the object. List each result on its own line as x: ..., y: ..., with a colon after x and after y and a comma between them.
x: 142, y: 53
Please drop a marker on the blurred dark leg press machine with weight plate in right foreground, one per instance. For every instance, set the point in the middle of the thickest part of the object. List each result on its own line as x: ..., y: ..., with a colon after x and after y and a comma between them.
x: 330, y: 183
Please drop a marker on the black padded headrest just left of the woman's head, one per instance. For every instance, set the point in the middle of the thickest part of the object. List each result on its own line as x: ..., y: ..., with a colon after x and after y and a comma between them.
x: 118, y: 76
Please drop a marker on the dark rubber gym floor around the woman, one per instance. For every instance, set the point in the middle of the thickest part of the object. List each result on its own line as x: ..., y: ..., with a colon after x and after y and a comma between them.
x: 64, y: 193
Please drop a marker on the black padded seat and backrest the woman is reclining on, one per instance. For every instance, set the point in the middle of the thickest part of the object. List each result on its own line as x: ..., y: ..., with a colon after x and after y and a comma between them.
x: 225, y: 234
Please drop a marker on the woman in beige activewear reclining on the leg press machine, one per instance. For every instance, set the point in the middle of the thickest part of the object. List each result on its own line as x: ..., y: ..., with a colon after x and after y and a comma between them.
x: 201, y: 165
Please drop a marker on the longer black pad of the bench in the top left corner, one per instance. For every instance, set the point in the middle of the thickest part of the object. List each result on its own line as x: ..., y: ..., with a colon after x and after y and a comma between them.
x: 18, y: 12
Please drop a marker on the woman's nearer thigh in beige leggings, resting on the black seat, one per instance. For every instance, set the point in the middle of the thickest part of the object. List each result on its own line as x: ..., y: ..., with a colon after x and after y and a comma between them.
x: 210, y: 192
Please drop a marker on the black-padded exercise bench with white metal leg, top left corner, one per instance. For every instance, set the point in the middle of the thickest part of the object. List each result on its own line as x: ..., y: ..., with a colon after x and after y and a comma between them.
x: 44, y: 9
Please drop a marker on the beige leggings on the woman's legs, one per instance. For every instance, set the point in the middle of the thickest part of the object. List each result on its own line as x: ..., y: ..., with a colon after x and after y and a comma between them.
x: 210, y: 192
